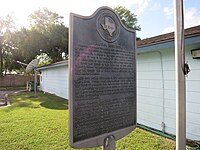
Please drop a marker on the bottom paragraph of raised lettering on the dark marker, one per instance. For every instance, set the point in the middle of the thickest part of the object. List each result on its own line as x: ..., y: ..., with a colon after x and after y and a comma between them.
x: 102, y: 116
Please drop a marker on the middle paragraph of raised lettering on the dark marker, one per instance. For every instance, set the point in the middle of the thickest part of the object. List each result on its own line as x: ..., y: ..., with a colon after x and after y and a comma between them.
x: 94, y: 87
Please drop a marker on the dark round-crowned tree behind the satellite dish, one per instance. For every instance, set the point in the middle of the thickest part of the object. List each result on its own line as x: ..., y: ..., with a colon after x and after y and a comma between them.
x: 26, y: 45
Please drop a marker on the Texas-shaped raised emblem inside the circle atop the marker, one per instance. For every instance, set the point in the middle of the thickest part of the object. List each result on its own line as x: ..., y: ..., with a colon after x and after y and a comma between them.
x: 109, y: 25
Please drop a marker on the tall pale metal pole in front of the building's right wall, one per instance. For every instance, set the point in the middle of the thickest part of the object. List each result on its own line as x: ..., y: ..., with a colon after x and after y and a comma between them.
x: 180, y: 76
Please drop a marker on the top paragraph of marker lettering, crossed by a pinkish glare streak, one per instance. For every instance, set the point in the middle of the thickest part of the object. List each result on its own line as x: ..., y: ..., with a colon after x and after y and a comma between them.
x: 97, y: 59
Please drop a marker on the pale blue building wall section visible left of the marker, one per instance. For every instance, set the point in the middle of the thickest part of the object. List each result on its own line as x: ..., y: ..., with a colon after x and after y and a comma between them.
x: 55, y: 80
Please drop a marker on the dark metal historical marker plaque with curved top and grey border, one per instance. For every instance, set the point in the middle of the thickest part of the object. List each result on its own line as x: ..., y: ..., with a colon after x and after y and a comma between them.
x: 102, y: 79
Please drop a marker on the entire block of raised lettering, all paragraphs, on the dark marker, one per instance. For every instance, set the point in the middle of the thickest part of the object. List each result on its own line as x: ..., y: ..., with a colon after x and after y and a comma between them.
x: 104, y: 89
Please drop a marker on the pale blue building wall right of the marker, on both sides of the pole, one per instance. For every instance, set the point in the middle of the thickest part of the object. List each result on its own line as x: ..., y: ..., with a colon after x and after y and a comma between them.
x: 156, y: 90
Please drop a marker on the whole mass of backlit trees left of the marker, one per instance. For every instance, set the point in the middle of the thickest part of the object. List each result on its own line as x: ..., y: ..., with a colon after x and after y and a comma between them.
x: 47, y: 39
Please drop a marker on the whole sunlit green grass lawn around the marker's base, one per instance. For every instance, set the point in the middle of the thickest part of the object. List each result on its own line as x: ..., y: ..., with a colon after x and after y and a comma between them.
x: 42, y: 123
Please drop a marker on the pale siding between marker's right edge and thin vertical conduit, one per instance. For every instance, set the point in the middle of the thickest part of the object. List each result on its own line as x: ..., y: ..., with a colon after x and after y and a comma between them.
x: 150, y: 91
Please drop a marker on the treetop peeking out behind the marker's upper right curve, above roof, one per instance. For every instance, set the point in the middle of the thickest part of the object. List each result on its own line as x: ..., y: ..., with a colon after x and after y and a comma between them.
x: 127, y: 18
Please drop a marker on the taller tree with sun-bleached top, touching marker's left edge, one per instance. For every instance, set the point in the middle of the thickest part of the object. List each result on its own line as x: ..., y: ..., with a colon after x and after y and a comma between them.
x: 51, y: 26
